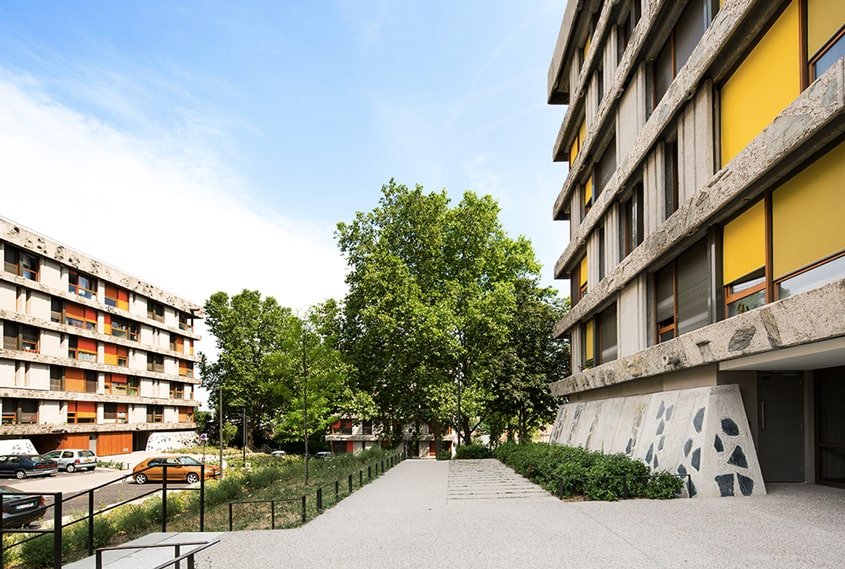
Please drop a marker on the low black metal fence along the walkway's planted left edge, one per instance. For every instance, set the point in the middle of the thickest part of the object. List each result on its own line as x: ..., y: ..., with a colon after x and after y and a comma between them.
x: 296, y: 510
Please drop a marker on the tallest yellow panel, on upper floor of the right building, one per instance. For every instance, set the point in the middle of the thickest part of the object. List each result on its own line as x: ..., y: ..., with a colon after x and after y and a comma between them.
x: 763, y: 85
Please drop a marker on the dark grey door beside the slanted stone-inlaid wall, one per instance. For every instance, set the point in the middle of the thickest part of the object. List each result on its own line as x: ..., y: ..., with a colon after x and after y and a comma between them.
x: 781, y: 426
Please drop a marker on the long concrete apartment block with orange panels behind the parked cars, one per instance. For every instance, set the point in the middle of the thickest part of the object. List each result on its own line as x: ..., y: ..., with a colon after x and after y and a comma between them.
x: 91, y: 357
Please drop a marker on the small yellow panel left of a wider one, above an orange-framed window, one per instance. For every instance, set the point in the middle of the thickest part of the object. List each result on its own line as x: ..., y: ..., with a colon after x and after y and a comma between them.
x: 744, y: 243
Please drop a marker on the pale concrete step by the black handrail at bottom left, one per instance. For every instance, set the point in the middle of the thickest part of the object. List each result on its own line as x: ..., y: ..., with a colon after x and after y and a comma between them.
x: 146, y: 558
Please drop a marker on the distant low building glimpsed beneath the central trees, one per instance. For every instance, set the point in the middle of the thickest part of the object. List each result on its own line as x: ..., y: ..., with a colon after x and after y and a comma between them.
x: 352, y: 435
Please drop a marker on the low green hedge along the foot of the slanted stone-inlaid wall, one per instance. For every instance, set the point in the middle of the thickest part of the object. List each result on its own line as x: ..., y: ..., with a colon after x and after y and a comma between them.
x: 591, y: 474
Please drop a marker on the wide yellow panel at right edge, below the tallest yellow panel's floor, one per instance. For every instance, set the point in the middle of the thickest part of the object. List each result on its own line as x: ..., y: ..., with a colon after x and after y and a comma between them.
x: 807, y: 223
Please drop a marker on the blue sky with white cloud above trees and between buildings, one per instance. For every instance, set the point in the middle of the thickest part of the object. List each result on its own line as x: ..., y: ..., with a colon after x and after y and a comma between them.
x: 211, y: 145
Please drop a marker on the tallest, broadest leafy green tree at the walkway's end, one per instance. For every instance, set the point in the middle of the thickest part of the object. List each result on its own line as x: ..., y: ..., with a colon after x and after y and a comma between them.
x: 430, y: 302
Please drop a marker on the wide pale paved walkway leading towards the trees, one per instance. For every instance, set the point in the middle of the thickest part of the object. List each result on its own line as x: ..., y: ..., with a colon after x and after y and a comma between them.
x: 419, y: 515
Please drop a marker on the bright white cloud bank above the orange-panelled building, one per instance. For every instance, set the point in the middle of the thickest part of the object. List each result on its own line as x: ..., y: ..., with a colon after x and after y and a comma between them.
x: 163, y: 208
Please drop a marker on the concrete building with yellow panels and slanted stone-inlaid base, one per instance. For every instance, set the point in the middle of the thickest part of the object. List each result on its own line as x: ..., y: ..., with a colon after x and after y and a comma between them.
x: 705, y: 197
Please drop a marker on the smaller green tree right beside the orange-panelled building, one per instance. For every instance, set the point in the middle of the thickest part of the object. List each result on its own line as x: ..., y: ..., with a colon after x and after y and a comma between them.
x: 250, y: 333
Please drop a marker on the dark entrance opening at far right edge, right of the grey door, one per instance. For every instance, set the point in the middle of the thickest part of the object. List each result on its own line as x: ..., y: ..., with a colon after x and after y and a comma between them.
x: 830, y: 438
